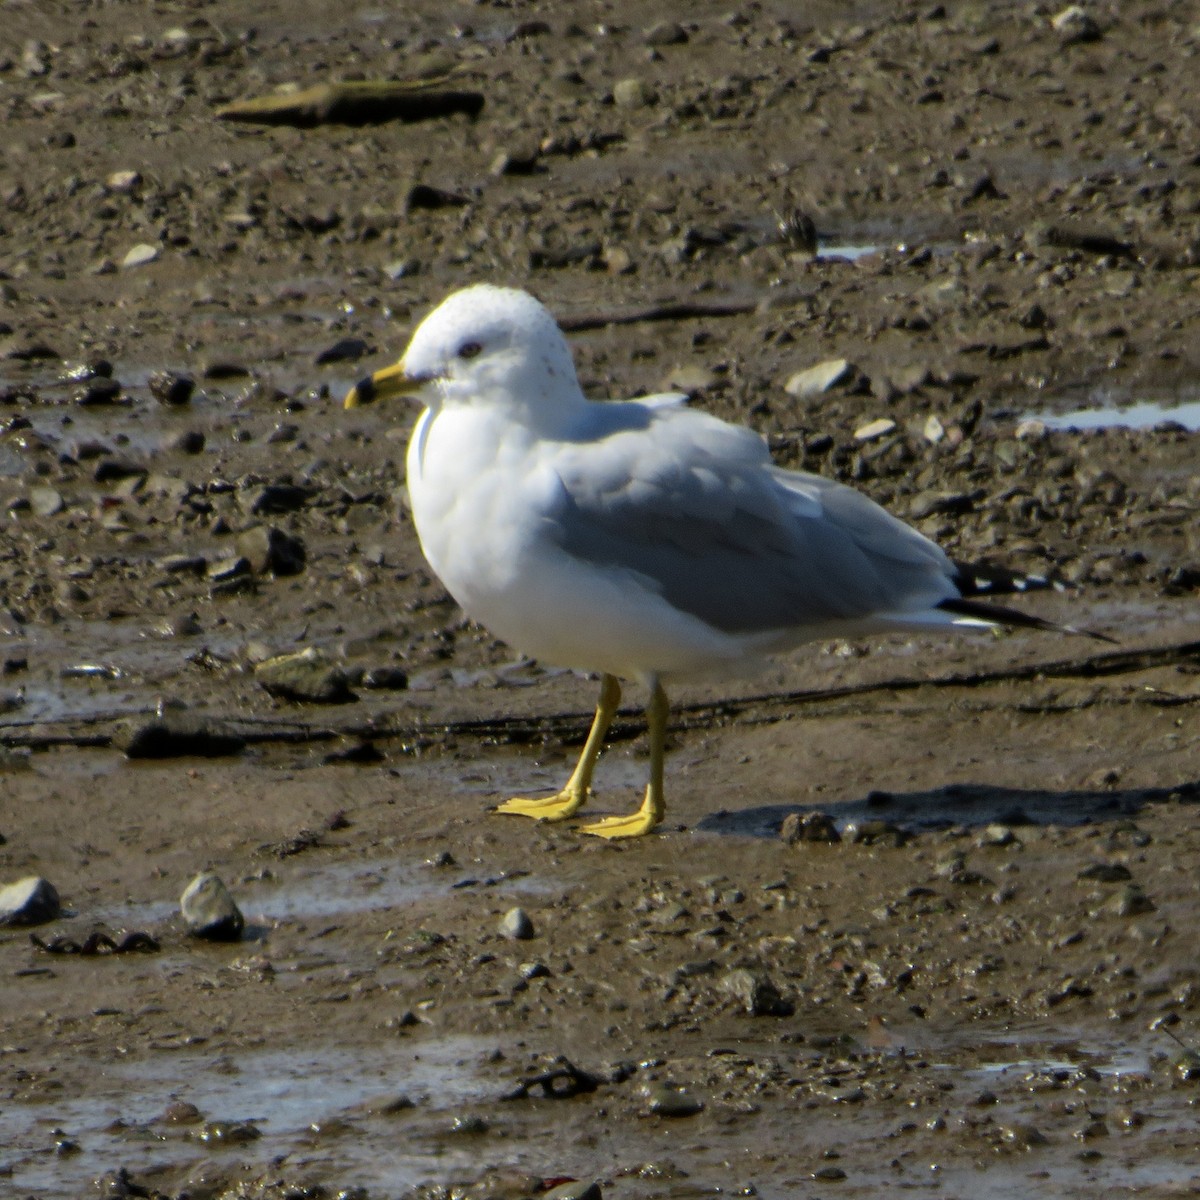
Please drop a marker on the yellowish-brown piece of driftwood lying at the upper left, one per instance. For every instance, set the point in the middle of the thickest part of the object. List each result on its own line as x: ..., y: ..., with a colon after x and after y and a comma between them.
x: 361, y: 103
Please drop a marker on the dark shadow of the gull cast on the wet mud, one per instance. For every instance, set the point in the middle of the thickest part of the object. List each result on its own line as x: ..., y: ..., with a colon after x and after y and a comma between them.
x: 968, y: 806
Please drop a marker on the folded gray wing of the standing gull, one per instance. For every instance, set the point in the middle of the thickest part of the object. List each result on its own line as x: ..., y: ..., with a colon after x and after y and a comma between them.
x: 695, y: 511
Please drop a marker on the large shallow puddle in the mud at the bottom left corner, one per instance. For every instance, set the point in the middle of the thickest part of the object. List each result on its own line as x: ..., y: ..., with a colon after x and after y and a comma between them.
x: 327, y: 1099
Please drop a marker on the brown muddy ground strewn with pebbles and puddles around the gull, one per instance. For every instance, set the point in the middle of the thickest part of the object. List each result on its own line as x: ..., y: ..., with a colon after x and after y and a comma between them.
x: 991, y: 986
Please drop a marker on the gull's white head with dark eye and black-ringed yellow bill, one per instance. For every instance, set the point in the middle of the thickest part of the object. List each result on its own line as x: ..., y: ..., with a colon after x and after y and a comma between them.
x: 484, y: 346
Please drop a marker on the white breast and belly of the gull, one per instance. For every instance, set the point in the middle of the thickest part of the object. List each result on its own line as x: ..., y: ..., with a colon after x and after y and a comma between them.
x: 481, y: 502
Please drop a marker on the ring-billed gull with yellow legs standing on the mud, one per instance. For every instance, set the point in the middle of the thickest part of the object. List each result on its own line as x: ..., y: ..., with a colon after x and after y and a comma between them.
x: 643, y: 539
